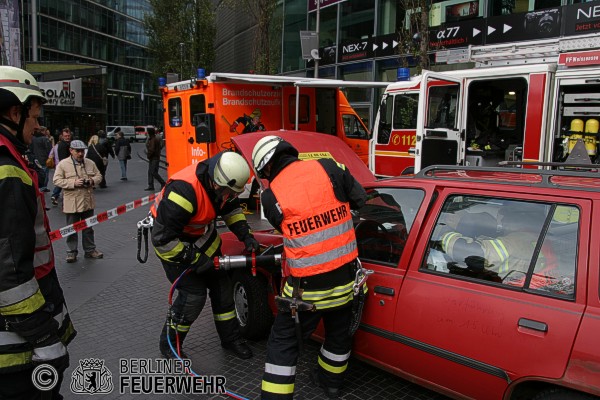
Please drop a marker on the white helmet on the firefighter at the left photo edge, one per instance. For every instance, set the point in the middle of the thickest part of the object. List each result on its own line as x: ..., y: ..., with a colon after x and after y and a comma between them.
x: 18, y: 84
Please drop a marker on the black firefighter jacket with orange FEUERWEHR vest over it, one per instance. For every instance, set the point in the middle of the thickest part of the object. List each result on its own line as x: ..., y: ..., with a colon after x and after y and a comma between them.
x: 317, y: 226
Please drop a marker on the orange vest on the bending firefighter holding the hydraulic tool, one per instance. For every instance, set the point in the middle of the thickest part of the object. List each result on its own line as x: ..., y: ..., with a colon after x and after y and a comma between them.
x: 205, y: 213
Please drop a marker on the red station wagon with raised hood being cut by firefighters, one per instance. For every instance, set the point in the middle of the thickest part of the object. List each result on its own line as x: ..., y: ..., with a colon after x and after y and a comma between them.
x: 512, y: 313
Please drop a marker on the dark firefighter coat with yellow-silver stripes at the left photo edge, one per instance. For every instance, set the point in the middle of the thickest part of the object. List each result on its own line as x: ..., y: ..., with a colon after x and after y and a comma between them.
x: 32, y: 307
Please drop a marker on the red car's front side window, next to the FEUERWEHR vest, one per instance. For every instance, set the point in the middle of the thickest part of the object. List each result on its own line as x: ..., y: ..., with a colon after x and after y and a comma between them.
x: 382, y: 225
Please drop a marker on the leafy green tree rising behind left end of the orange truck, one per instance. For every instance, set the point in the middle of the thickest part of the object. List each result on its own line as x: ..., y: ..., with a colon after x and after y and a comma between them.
x: 172, y: 22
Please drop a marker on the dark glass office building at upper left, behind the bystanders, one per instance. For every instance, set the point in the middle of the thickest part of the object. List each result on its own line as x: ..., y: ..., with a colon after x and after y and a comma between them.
x: 106, y: 34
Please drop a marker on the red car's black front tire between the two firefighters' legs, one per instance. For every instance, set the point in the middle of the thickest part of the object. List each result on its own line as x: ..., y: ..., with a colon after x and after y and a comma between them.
x: 251, y: 305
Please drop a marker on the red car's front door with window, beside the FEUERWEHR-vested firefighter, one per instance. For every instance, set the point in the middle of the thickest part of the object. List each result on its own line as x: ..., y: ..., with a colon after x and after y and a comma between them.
x: 385, y: 232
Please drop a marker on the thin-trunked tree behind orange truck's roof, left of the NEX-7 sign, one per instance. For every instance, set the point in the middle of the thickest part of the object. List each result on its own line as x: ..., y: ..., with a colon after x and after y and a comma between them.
x: 266, y: 47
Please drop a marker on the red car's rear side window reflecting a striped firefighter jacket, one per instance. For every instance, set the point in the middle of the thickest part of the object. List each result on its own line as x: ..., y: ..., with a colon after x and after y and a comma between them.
x: 516, y: 244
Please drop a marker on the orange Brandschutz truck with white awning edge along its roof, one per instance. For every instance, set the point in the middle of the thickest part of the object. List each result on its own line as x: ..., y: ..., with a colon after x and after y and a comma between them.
x: 202, y: 114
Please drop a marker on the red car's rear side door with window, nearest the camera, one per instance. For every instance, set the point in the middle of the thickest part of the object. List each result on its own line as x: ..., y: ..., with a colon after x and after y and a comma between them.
x: 471, y: 330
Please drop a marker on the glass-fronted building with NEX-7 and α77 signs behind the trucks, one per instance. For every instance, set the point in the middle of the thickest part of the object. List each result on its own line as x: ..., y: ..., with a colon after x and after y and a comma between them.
x: 360, y: 40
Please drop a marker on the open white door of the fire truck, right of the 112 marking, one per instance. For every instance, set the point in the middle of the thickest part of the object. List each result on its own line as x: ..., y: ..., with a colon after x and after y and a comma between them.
x: 439, y: 137
